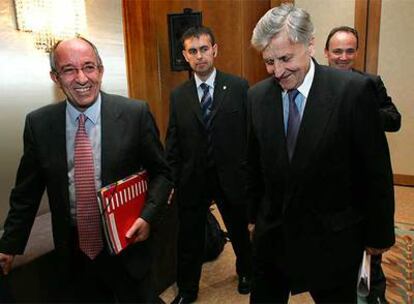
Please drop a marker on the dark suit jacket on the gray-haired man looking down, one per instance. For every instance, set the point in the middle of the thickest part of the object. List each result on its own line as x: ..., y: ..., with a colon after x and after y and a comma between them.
x: 315, y: 215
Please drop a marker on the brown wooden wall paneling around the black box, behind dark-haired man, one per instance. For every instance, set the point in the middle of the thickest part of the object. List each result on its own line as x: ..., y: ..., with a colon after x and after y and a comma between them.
x: 147, y: 47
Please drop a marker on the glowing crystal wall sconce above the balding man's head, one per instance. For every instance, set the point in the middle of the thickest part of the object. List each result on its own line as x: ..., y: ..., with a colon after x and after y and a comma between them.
x: 50, y: 20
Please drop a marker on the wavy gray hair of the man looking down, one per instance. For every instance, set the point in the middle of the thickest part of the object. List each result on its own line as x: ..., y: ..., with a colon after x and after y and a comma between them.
x: 294, y: 21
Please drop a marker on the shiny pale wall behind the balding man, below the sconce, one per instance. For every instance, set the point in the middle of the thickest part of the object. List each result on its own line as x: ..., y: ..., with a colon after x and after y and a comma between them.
x: 25, y: 83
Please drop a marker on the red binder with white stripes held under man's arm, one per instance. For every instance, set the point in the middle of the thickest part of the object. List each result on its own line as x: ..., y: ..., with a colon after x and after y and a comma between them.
x: 121, y: 204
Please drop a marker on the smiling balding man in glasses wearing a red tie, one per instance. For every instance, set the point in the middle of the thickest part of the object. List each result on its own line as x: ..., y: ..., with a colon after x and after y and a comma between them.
x: 121, y: 138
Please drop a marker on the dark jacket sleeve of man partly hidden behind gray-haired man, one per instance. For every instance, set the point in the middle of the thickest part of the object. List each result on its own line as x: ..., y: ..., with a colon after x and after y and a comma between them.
x: 390, y: 117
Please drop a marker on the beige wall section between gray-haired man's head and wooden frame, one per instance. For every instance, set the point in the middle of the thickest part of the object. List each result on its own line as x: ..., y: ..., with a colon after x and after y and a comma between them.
x: 325, y: 15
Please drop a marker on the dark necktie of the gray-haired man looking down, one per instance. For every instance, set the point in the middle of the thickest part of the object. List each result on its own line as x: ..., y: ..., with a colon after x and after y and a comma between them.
x: 293, y: 123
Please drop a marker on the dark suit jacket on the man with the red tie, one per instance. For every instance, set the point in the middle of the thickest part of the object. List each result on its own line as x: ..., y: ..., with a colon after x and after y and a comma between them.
x: 130, y: 141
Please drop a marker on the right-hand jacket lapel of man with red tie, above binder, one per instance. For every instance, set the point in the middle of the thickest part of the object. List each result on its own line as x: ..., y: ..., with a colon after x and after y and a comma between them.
x: 112, y: 127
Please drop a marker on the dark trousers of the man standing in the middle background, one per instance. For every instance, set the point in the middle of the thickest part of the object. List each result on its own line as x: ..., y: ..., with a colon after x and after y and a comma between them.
x: 191, y: 238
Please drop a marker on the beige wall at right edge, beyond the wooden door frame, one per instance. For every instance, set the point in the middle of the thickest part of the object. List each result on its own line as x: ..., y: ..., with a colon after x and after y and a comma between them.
x: 396, y: 67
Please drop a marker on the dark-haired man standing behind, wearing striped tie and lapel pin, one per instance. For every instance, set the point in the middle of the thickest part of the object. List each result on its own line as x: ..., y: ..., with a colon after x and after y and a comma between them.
x: 206, y: 141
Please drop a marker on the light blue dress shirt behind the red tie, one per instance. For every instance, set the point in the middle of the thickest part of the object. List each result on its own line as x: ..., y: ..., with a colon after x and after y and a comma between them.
x: 93, y: 129
